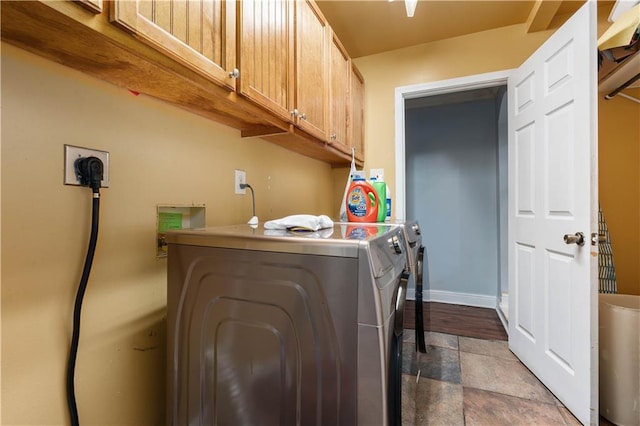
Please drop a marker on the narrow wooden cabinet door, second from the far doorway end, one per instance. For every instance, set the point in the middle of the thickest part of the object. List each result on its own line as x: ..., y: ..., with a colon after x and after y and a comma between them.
x: 339, y: 95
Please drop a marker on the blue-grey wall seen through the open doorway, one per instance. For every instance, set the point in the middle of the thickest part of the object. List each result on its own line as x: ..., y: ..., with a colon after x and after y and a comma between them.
x: 452, y: 189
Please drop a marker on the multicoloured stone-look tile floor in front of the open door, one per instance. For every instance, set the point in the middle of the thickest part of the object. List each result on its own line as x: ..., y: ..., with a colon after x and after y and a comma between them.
x: 469, y: 381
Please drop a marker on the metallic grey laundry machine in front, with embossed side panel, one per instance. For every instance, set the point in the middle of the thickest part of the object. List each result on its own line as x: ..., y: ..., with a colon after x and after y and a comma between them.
x: 279, y: 328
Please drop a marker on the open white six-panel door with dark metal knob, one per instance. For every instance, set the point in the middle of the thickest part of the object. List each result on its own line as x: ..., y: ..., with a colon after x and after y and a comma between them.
x: 553, y: 192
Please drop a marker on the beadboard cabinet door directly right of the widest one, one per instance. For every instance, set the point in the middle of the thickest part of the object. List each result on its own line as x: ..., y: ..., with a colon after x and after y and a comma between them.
x: 266, y: 54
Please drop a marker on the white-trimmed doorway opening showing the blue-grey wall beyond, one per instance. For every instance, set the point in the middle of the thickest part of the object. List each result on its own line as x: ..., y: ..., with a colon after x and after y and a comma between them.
x: 451, y: 175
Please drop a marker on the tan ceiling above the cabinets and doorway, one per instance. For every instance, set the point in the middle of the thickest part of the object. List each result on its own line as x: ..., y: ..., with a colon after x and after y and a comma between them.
x: 367, y: 27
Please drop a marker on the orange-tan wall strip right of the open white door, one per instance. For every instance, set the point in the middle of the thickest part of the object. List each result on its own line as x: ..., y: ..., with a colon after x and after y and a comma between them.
x: 619, y: 184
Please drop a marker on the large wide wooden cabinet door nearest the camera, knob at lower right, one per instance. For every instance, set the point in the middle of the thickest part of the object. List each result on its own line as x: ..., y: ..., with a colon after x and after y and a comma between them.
x: 199, y: 34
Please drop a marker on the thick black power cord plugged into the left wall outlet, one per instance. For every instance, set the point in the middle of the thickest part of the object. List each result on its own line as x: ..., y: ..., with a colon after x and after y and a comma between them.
x: 89, y: 170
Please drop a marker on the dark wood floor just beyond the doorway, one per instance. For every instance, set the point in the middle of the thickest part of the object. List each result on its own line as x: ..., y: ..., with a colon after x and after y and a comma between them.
x: 481, y: 323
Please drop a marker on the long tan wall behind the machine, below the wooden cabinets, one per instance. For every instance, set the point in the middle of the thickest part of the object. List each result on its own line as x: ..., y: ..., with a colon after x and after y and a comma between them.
x: 159, y: 154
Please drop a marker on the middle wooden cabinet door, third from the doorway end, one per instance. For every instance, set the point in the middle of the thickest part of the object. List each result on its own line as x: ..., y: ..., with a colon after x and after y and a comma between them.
x: 312, y: 39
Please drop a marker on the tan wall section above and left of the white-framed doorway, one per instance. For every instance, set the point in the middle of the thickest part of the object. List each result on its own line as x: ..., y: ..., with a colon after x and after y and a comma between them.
x: 488, y: 51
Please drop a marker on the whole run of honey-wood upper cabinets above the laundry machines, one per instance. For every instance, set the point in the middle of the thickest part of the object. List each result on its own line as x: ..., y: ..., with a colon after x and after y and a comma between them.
x: 182, y: 52
